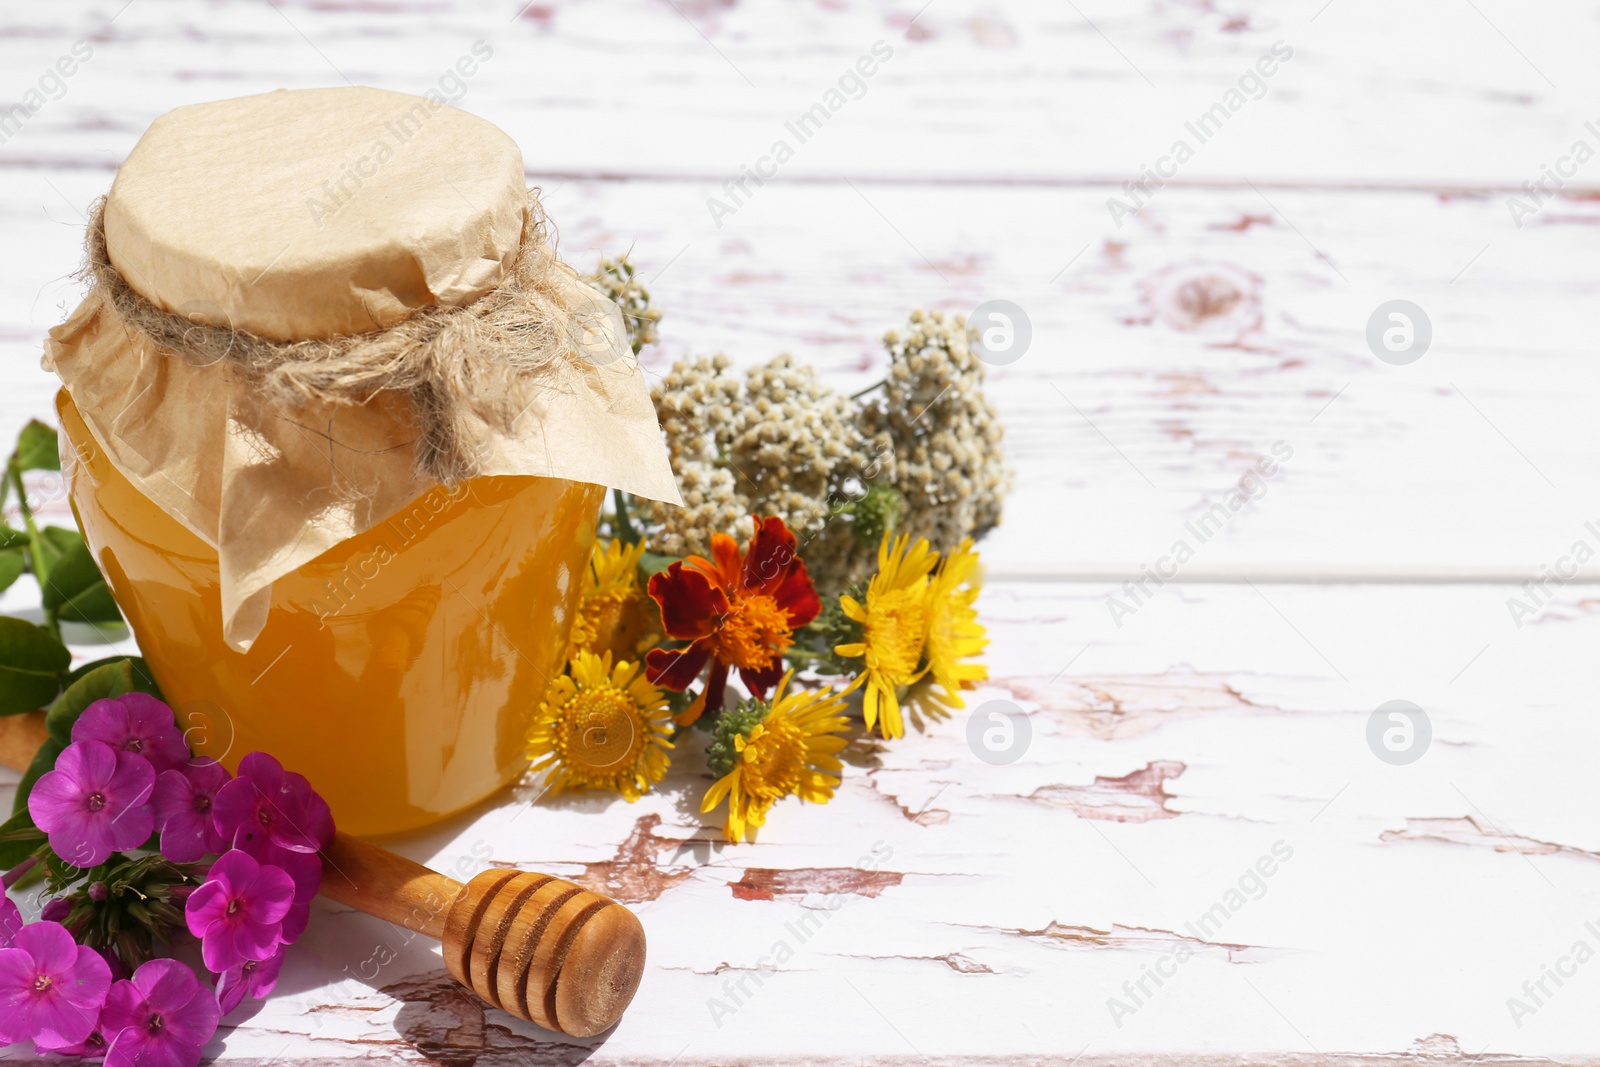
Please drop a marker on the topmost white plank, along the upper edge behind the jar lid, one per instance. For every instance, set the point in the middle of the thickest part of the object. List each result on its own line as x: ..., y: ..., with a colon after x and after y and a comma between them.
x: 1431, y: 94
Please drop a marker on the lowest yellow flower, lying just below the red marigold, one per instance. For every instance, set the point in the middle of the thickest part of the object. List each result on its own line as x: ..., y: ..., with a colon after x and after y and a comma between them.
x: 791, y: 751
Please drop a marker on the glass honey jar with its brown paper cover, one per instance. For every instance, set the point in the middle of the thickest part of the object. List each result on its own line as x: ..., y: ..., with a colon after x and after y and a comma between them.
x: 295, y: 575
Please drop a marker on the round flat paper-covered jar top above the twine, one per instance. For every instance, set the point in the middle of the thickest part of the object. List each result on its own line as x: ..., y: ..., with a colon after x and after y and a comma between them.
x: 316, y: 214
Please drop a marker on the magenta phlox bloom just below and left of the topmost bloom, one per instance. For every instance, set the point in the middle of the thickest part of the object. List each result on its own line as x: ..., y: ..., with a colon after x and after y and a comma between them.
x: 94, y: 804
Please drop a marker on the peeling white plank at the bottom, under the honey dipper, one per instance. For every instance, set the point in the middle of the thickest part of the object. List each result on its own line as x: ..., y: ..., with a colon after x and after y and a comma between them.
x: 950, y: 909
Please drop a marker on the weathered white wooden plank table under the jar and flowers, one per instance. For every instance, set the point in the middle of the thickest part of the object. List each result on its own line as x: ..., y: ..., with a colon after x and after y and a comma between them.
x: 1222, y: 725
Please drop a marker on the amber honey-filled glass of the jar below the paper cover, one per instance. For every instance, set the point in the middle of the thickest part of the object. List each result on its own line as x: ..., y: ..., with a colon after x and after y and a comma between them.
x: 396, y: 671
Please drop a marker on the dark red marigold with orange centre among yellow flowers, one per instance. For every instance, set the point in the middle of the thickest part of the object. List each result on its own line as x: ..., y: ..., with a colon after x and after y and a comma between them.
x: 735, y: 610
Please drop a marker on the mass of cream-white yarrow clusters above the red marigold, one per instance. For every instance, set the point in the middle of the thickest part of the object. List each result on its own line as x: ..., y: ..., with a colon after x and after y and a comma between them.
x: 922, y: 455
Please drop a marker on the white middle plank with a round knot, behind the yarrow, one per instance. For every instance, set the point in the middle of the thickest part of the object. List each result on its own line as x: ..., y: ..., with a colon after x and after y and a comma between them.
x: 1130, y: 418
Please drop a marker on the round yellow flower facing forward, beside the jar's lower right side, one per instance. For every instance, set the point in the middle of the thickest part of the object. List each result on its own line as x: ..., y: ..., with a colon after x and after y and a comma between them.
x: 602, y: 729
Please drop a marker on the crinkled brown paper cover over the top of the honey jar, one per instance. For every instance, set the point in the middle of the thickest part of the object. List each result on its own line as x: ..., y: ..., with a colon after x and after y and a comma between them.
x: 319, y: 214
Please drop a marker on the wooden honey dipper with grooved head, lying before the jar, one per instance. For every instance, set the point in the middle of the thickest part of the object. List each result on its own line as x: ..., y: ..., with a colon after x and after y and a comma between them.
x: 542, y: 948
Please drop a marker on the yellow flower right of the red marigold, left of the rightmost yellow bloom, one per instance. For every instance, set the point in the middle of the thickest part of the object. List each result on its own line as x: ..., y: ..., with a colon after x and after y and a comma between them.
x: 894, y: 629
